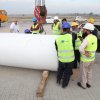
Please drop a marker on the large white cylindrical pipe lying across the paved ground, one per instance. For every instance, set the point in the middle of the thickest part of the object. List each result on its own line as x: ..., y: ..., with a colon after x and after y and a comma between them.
x: 28, y: 51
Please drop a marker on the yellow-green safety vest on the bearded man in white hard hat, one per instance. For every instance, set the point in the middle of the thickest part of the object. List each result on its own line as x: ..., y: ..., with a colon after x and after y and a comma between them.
x: 91, y: 47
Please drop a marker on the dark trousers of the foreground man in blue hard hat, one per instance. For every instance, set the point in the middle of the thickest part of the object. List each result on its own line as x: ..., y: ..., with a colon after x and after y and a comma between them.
x: 64, y: 73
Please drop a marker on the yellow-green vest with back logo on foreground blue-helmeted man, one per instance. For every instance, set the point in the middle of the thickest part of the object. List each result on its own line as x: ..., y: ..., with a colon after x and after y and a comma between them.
x: 65, y: 48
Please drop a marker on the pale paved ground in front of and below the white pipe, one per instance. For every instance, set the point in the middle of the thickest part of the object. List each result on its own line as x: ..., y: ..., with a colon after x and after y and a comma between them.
x: 22, y: 84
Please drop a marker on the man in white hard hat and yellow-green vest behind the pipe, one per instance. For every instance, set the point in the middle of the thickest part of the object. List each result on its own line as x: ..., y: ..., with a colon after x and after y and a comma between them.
x: 56, y: 29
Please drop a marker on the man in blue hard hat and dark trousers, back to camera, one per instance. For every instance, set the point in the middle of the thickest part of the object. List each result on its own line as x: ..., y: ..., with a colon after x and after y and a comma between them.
x: 65, y: 52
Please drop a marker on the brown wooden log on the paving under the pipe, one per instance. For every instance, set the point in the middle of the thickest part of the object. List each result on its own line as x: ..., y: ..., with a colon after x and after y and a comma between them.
x: 42, y: 85
